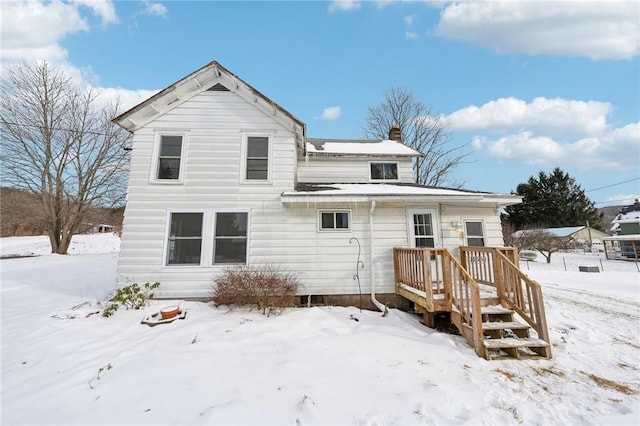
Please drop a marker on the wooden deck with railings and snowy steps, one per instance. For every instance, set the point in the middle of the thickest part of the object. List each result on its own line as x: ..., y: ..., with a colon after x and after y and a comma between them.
x: 493, y: 304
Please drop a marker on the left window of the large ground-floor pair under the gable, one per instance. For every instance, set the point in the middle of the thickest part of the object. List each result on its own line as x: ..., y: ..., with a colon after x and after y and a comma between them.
x: 185, y: 239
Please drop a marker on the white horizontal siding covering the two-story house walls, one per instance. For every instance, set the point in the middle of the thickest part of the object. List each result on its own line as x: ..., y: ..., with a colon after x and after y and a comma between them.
x: 214, y: 126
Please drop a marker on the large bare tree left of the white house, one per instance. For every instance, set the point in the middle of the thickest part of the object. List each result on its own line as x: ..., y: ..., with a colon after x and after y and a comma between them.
x: 58, y: 142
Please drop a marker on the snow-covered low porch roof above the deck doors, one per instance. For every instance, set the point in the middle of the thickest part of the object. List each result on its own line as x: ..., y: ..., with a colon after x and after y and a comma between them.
x: 391, y: 192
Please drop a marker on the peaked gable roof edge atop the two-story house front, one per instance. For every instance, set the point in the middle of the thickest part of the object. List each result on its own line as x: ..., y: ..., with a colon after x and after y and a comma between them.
x: 207, y: 77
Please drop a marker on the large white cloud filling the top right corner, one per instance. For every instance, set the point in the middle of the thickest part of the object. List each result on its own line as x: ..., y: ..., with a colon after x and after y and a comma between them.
x: 595, y: 29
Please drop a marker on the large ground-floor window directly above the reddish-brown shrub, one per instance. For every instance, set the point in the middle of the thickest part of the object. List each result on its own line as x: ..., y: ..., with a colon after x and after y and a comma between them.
x: 230, y: 239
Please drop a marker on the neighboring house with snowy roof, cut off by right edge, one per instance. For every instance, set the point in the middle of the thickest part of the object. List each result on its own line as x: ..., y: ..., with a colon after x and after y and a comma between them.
x: 626, y: 227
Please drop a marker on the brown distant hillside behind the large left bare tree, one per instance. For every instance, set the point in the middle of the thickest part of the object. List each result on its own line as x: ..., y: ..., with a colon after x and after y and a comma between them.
x: 21, y: 214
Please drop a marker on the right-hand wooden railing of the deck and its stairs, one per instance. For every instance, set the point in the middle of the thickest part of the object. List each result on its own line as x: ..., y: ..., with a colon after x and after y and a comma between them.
x: 498, y: 267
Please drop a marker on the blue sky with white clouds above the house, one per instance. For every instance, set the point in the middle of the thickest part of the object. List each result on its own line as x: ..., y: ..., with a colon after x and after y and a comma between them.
x: 529, y: 85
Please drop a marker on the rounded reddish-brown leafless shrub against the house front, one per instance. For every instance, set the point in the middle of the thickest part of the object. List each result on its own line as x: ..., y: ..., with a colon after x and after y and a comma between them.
x: 265, y: 287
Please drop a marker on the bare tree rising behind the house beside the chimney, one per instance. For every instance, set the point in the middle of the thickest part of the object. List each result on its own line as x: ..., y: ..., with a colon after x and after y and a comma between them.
x: 421, y: 130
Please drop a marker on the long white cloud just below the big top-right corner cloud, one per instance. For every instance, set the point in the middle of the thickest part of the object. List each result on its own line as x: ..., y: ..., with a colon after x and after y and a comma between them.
x: 542, y: 115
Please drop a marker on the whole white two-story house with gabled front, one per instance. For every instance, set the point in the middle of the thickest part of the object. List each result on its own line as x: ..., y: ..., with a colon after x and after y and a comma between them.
x: 221, y: 175
